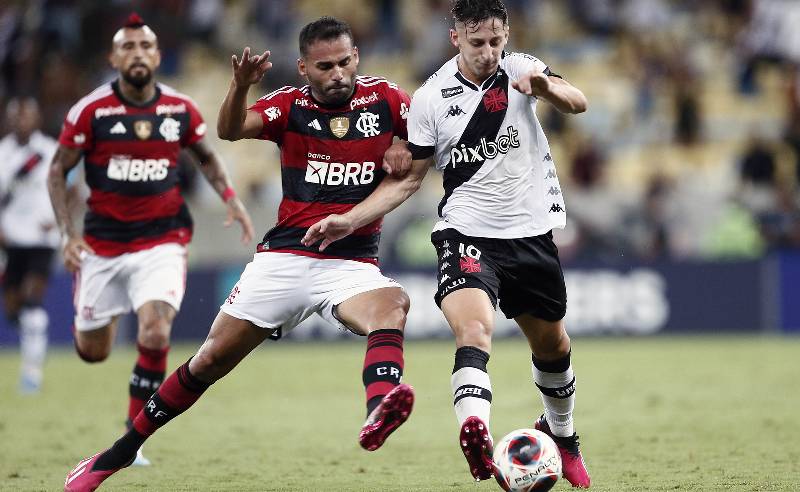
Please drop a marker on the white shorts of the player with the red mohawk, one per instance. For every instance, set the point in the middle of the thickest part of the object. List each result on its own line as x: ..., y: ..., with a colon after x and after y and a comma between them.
x: 109, y: 286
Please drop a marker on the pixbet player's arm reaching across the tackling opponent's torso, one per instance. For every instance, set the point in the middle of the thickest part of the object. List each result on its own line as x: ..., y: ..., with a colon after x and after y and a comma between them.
x: 392, y: 191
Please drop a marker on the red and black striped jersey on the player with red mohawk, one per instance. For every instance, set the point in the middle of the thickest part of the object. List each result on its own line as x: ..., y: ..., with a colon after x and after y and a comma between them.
x: 130, y: 157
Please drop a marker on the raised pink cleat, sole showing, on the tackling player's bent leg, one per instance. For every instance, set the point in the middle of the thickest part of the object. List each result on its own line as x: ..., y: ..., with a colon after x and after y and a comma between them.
x: 390, y: 414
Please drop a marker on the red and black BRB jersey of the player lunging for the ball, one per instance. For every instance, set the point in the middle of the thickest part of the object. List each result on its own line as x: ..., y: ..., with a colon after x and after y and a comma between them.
x: 330, y: 160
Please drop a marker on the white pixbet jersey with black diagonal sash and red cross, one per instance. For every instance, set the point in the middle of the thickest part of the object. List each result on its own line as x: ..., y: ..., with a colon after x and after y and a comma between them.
x: 499, y: 176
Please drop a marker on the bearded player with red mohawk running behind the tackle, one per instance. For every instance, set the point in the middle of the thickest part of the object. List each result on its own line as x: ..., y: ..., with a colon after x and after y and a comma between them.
x: 132, y: 253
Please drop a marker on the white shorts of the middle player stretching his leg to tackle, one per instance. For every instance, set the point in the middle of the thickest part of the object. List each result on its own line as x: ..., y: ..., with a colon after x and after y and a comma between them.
x: 279, y: 290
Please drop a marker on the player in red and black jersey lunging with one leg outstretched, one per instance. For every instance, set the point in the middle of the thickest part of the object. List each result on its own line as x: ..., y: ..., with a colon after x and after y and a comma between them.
x: 332, y: 135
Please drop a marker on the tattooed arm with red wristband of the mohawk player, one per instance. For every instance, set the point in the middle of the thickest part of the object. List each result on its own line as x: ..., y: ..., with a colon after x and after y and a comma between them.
x: 214, y: 172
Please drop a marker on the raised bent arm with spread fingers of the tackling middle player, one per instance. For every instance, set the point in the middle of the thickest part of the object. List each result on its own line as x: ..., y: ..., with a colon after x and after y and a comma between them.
x: 234, y: 121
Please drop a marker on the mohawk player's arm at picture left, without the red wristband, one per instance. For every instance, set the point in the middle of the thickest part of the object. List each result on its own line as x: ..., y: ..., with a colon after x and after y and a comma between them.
x: 73, y: 245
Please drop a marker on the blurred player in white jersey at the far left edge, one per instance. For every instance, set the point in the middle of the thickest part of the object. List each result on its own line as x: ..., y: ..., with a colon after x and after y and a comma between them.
x: 28, y: 233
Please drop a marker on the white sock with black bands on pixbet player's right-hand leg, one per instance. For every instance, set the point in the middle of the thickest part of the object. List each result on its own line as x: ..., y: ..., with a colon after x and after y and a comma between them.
x: 558, y: 396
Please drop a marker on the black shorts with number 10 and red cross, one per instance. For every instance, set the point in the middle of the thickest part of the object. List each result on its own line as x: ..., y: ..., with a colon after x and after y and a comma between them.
x: 523, y: 274
